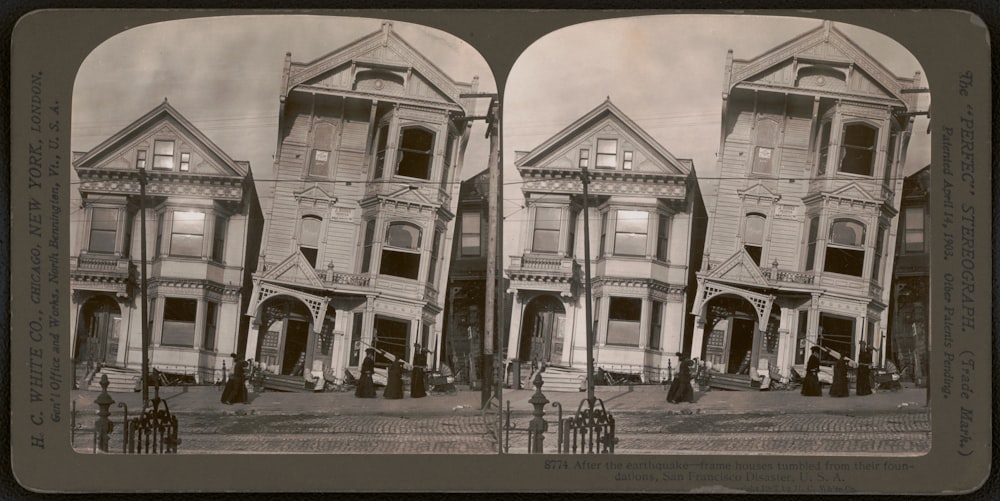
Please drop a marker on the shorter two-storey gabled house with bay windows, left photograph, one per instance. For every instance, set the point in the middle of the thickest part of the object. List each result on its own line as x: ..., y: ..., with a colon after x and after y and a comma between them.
x: 203, y: 227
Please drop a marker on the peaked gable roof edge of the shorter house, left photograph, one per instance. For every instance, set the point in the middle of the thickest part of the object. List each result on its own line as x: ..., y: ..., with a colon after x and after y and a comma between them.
x: 163, y: 113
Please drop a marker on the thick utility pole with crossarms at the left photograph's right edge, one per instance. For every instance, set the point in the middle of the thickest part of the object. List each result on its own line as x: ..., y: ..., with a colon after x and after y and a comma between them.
x: 491, y: 354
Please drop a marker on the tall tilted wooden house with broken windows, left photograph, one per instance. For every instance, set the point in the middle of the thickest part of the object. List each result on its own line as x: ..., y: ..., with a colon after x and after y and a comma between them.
x: 371, y: 140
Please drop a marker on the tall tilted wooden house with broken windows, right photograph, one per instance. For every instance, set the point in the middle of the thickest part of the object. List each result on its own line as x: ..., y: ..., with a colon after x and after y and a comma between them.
x: 814, y: 135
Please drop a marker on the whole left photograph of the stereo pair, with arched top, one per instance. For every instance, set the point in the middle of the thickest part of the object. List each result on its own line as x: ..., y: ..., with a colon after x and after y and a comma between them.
x: 275, y: 220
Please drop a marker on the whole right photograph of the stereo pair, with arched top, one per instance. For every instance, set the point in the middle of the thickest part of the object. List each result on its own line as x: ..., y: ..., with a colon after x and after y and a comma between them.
x: 724, y: 220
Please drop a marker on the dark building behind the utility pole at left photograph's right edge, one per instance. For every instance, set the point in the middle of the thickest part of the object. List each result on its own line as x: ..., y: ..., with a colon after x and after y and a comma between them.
x: 466, y: 302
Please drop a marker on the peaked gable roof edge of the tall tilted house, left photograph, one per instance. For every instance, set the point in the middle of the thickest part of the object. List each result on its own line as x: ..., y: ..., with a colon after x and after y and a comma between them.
x: 382, y: 48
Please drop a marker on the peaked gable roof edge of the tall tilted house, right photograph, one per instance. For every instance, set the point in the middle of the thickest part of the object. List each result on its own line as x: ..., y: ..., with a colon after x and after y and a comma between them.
x: 827, y: 44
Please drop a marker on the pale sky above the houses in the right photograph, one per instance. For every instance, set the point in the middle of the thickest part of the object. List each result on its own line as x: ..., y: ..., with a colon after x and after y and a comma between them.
x: 664, y: 72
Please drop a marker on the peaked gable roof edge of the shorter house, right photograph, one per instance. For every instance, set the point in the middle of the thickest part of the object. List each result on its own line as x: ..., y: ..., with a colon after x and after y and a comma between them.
x: 606, y: 111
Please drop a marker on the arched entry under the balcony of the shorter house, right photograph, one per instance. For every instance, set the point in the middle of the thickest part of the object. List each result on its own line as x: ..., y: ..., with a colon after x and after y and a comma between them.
x: 543, y: 330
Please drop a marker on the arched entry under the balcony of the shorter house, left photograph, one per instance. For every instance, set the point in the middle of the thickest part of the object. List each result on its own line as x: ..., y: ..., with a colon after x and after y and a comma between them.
x: 99, y: 329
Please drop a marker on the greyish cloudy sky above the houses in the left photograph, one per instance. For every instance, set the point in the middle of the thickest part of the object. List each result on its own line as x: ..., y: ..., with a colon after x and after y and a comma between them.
x: 224, y: 75
